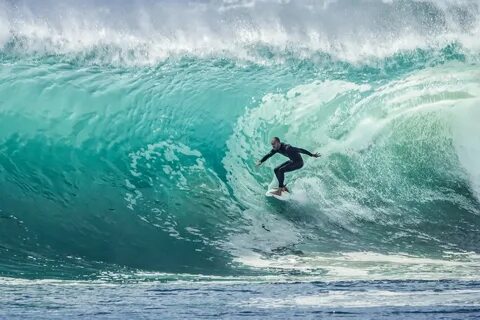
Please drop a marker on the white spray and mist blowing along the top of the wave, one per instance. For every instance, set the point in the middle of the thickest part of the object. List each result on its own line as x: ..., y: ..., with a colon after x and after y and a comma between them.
x: 145, y: 32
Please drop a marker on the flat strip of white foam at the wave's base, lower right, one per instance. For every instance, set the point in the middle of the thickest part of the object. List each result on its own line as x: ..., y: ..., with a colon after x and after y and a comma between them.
x: 370, y: 266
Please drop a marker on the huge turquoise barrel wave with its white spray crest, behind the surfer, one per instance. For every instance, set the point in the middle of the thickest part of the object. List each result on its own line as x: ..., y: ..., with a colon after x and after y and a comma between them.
x: 129, y: 133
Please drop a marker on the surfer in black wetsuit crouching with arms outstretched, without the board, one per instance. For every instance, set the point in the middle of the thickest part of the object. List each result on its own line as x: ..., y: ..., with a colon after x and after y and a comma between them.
x: 295, y: 162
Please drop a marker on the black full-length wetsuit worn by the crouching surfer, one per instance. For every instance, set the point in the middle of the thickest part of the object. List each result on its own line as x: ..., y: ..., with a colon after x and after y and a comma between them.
x: 295, y: 162
